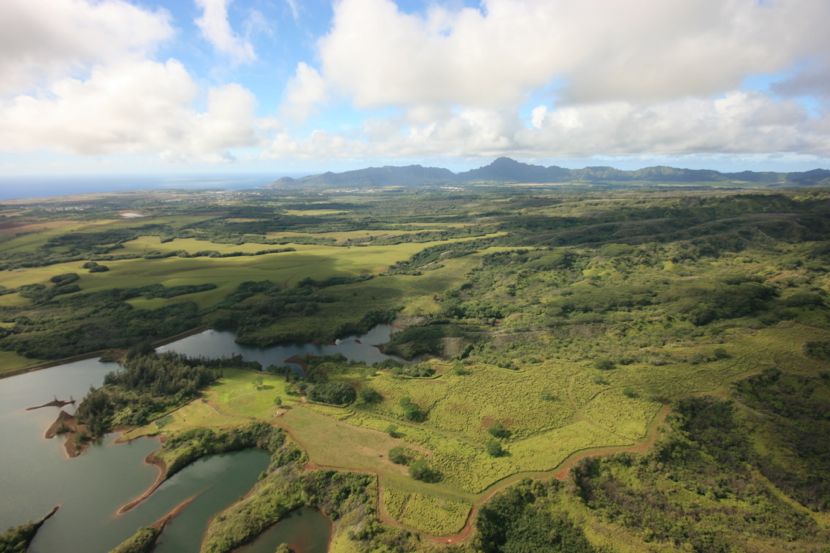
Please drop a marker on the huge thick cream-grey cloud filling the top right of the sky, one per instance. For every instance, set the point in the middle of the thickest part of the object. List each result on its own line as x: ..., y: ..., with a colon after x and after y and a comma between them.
x: 644, y: 50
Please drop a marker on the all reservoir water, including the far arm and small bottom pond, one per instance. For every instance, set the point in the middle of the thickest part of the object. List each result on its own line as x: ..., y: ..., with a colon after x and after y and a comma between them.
x: 36, y: 475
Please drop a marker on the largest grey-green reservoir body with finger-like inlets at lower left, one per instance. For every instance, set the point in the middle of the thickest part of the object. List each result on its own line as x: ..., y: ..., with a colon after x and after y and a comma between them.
x: 35, y: 474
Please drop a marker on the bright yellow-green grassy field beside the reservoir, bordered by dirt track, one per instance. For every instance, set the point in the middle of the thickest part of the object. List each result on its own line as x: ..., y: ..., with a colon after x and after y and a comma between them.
x: 356, y: 439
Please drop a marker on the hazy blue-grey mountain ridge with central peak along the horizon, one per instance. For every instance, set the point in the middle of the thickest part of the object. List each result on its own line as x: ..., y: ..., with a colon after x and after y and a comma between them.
x: 509, y: 171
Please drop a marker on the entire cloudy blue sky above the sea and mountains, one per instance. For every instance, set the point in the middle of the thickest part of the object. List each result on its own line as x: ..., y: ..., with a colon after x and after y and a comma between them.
x: 294, y: 86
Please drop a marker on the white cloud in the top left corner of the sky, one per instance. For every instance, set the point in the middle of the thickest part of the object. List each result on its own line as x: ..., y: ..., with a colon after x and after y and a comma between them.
x: 44, y: 40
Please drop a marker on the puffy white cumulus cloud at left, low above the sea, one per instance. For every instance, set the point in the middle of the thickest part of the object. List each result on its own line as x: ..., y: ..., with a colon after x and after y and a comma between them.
x: 132, y: 107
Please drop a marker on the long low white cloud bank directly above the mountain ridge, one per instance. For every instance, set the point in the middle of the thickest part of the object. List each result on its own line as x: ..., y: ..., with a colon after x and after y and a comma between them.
x: 738, y: 123
